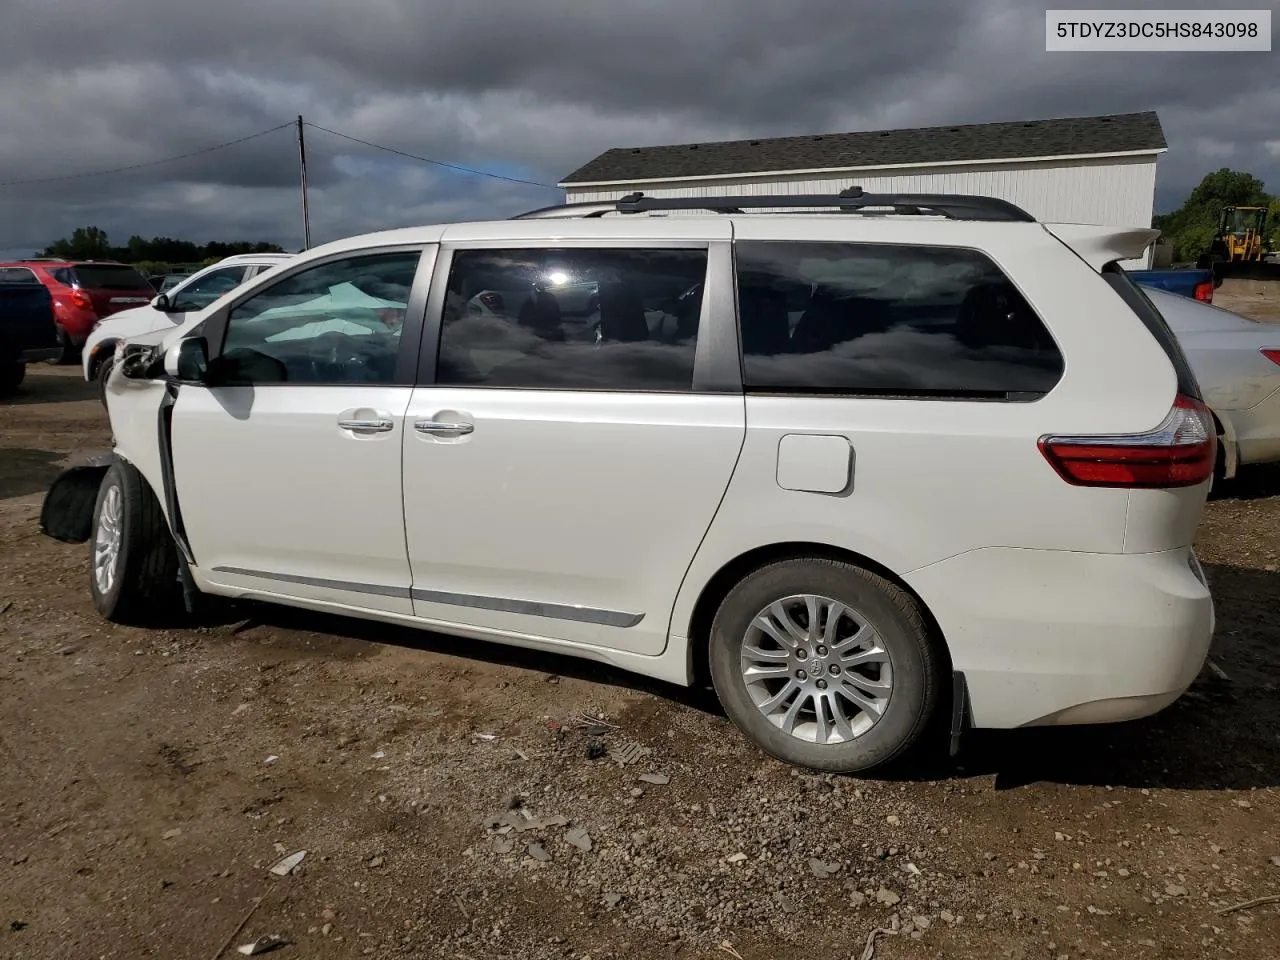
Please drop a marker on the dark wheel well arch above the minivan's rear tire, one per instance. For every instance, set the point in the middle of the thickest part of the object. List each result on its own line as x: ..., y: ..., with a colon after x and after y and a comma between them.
x: 719, y: 587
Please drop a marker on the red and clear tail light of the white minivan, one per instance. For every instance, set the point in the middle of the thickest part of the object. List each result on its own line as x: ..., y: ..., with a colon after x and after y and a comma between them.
x: 1180, y: 452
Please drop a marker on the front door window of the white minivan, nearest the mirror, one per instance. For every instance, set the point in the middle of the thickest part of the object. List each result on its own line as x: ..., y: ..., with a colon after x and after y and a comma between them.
x: 339, y: 323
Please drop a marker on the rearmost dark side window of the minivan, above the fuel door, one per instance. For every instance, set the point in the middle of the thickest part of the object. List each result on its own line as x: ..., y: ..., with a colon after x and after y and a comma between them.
x: 871, y: 319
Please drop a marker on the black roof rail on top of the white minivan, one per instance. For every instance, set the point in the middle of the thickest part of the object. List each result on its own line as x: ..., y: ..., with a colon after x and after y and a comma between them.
x: 954, y: 207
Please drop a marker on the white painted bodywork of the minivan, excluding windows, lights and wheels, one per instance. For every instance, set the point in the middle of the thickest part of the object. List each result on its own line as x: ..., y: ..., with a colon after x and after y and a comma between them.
x: 1060, y: 604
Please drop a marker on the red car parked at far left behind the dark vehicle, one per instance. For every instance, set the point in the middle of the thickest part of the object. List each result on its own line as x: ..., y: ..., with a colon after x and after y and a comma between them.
x: 85, y: 292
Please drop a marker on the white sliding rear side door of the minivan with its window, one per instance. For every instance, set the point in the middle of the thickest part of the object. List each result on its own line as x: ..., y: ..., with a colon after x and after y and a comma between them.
x: 564, y: 468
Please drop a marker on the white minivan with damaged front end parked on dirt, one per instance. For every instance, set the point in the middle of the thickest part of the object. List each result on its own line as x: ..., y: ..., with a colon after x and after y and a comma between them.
x: 857, y: 472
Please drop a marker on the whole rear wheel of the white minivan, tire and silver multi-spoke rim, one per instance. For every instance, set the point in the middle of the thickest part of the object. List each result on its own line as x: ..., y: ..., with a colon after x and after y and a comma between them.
x: 826, y: 665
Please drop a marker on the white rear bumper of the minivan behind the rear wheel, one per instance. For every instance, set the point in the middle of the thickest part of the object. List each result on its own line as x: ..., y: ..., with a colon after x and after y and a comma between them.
x: 1054, y: 637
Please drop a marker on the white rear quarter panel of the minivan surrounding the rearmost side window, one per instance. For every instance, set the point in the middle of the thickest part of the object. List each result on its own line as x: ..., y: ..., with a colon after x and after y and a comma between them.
x: 935, y: 479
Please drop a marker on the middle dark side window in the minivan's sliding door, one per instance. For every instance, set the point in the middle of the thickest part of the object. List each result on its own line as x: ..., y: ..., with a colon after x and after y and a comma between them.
x: 602, y: 319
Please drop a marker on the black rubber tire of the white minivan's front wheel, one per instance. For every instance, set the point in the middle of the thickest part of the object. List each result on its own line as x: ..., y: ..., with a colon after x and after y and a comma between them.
x: 145, y: 586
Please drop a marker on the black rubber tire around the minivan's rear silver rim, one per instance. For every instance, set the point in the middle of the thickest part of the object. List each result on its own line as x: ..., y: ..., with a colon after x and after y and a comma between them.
x: 915, y: 657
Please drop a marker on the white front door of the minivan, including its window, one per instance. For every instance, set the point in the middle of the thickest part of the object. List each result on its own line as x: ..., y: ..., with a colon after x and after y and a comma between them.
x: 289, y: 477
